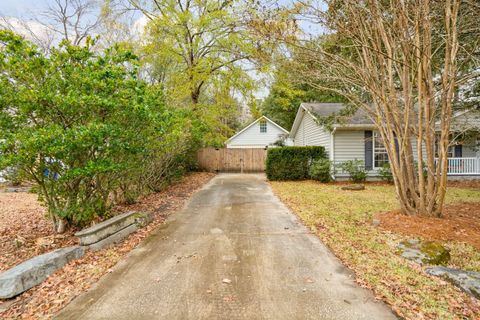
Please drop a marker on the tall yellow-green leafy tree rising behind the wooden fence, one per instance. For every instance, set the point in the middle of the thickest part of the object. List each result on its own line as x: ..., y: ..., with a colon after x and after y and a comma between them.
x: 195, y: 50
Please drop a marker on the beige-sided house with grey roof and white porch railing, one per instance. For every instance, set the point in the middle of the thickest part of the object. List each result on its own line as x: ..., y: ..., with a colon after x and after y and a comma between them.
x: 356, y: 138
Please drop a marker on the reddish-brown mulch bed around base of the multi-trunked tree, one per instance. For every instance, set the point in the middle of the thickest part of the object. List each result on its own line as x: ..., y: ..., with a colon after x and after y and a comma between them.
x: 460, y: 222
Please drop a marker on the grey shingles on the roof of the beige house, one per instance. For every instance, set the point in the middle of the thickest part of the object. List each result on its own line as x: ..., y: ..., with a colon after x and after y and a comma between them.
x: 327, y: 109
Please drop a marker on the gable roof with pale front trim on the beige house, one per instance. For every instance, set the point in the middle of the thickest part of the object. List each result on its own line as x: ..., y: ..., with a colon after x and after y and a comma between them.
x: 321, y: 110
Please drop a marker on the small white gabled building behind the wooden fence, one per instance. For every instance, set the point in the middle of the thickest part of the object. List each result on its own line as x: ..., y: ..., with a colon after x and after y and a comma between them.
x: 261, y: 133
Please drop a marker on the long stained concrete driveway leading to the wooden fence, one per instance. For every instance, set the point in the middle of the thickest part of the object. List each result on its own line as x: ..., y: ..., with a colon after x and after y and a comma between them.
x: 234, y: 252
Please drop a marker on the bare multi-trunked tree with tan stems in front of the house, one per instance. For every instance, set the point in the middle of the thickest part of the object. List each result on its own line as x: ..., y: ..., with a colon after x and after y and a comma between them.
x: 398, y: 60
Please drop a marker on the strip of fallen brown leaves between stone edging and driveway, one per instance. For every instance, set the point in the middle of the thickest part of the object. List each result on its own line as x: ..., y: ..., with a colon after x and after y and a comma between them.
x: 46, y: 299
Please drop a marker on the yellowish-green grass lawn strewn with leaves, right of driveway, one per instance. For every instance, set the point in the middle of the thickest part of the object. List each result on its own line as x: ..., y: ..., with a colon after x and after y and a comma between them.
x: 343, y: 220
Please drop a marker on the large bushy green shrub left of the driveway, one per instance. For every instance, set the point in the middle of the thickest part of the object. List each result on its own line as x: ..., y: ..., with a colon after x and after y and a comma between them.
x: 84, y: 128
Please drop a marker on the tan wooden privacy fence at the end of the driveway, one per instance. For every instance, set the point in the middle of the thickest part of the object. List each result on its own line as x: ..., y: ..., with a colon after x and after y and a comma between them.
x: 232, y: 160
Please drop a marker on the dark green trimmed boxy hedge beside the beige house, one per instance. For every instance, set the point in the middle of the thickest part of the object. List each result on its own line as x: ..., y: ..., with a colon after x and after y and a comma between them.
x: 292, y: 163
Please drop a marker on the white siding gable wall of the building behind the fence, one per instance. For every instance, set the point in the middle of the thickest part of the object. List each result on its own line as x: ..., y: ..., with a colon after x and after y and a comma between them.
x: 253, y: 138
